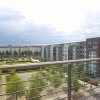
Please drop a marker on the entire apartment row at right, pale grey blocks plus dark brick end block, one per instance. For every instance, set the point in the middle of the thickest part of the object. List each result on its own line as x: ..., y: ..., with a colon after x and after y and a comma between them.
x: 75, y: 50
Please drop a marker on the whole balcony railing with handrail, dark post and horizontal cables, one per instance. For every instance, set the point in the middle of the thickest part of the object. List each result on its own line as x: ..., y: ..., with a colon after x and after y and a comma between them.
x: 59, y: 80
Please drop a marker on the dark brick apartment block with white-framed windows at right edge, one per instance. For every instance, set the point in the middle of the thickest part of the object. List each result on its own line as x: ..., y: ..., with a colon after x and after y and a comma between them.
x: 93, y: 51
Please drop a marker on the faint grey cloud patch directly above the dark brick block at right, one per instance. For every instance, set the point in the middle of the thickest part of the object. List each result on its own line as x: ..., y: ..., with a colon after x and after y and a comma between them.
x: 91, y: 28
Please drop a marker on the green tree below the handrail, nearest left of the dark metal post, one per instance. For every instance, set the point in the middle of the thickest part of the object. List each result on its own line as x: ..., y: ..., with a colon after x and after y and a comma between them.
x: 54, y: 76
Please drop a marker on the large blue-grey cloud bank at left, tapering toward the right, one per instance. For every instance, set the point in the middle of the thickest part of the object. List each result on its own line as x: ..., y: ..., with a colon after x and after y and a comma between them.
x: 16, y: 30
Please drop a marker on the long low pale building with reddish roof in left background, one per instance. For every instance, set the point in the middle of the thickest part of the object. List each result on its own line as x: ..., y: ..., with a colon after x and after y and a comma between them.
x: 19, y: 50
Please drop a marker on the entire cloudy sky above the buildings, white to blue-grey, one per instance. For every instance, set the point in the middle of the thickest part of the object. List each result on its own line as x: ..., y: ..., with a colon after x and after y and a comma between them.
x: 29, y: 22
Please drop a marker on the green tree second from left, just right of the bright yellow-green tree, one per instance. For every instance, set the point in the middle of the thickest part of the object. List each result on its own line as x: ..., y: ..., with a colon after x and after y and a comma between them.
x: 35, y: 87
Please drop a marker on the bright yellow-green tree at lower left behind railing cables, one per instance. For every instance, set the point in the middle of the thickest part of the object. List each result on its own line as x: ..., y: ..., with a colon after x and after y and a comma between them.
x: 15, y: 85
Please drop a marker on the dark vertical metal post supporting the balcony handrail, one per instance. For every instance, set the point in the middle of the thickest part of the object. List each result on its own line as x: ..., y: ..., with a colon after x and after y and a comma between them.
x: 69, y: 81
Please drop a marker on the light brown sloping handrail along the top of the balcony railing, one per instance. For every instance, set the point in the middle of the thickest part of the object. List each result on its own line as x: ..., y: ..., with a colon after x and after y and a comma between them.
x: 22, y: 66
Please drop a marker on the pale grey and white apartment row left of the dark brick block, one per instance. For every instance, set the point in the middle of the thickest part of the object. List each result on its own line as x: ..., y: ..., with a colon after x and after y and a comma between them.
x: 64, y: 51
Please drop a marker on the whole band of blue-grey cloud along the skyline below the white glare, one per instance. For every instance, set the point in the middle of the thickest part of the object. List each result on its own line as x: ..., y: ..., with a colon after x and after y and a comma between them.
x: 16, y: 29
